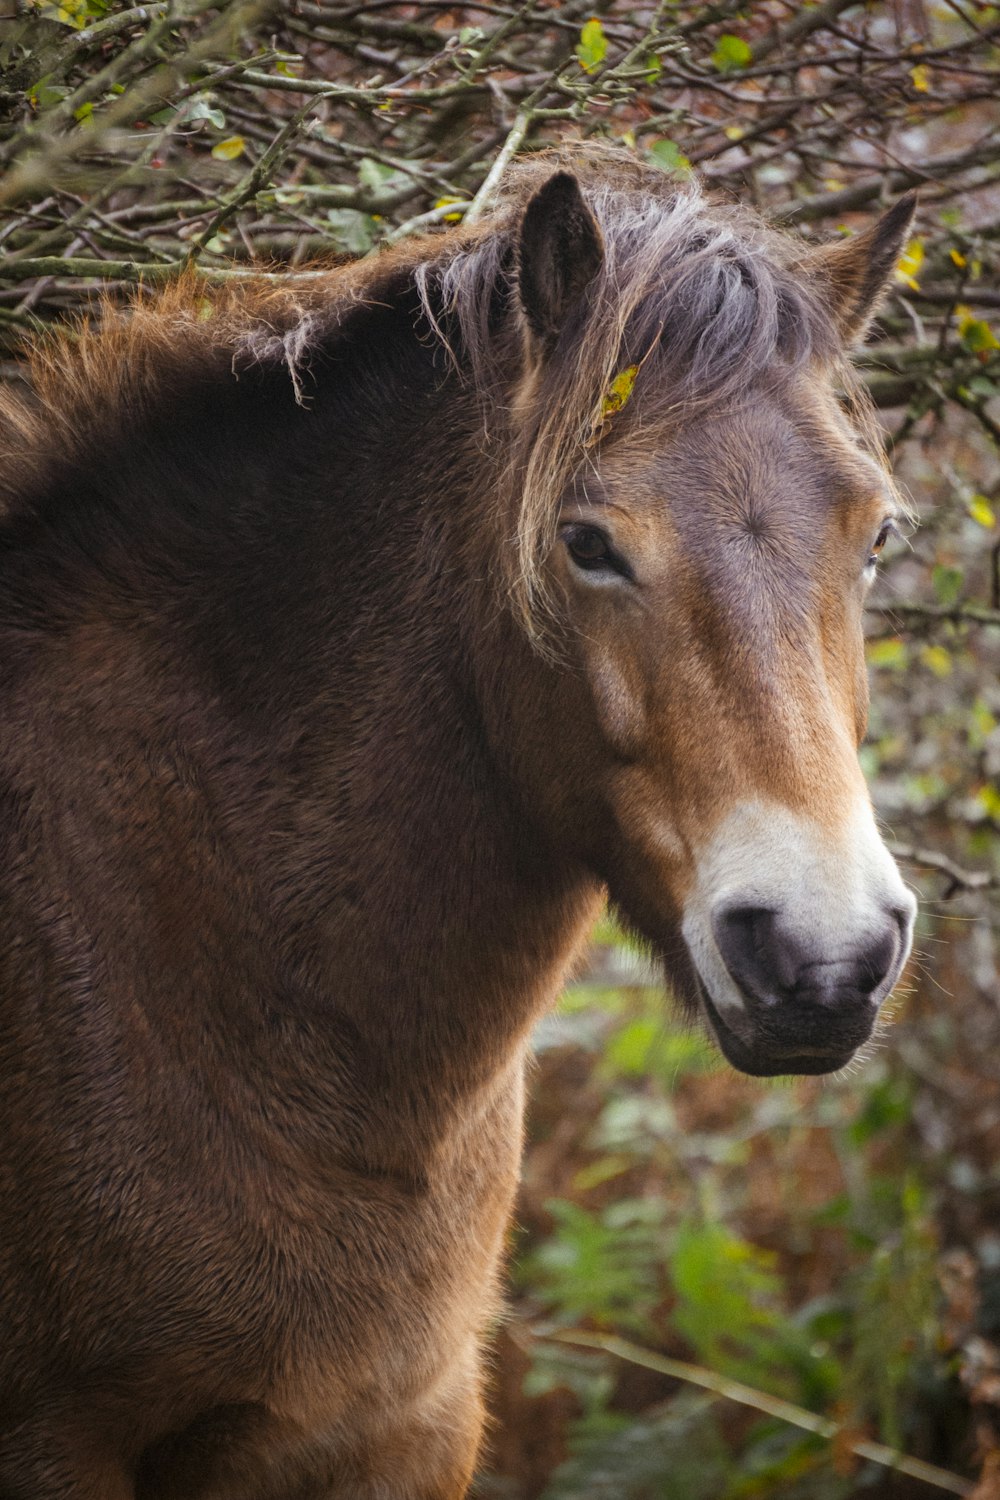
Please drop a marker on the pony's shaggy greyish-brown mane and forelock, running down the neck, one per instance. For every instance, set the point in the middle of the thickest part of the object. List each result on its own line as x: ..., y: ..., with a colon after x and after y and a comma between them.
x: 704, y: 298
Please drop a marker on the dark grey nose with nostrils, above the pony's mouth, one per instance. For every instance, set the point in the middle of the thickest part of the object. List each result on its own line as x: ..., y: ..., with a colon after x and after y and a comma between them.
x: 771, y: 965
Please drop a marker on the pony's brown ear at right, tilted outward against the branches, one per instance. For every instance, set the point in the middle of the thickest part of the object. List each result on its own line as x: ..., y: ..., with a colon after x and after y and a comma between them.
x: 858, y: 271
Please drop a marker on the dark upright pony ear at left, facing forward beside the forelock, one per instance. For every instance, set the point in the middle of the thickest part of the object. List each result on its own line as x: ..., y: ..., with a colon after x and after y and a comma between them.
x: 560, y: 254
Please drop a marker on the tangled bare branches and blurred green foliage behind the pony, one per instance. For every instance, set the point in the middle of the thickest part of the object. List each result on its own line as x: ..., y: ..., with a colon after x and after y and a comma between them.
x: 720, y: 1289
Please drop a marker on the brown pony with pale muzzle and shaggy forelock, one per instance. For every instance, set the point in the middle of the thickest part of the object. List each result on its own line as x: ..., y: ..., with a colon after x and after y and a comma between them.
x: 352, y: 646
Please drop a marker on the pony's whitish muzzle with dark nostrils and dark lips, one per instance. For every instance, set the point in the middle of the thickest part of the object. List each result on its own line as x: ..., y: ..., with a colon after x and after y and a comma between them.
x: 797, y: 937
